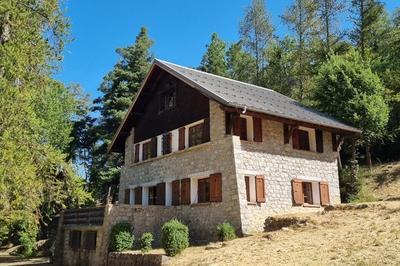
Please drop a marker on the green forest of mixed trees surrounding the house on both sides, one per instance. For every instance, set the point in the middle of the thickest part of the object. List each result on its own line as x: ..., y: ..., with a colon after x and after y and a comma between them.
x: 48, y: 128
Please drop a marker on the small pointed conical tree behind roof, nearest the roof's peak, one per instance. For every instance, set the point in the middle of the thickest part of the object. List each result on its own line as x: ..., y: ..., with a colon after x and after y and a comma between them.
x: 214, y: 59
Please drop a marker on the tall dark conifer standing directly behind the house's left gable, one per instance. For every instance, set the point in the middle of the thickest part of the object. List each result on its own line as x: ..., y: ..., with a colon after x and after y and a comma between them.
x: 119, y: 87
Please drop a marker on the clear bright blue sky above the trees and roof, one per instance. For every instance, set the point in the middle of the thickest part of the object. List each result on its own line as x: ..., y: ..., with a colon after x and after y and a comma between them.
x: 179, y: 28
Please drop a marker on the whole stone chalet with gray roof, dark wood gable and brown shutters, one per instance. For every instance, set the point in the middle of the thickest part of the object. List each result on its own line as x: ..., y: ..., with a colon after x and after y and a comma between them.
x: 208, y: 149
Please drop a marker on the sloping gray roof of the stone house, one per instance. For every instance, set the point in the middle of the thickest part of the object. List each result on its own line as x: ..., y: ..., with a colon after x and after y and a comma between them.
x: 254, y: 98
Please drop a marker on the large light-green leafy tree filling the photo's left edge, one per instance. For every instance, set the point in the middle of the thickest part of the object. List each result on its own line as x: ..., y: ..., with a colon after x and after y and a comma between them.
x: 36, y: 112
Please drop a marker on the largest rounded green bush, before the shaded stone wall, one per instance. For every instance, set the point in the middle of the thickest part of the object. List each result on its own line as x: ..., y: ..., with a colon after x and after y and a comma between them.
x: 174, y: 237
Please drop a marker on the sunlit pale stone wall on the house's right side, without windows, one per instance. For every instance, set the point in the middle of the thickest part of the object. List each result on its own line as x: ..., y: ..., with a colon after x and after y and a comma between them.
x: 280, y: 163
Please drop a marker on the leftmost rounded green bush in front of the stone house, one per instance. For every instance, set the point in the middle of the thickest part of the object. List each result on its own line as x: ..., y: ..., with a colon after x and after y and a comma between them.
x: 121, y: 237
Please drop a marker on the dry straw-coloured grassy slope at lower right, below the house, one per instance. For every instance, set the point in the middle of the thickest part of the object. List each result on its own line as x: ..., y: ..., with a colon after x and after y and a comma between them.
x: 369, y: 236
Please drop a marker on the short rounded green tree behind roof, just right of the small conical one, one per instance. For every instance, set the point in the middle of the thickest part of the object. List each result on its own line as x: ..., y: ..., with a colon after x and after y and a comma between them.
x: 240, y: 63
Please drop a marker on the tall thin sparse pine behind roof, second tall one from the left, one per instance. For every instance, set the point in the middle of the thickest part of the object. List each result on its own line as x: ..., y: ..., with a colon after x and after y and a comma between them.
x: 301, y: 17
